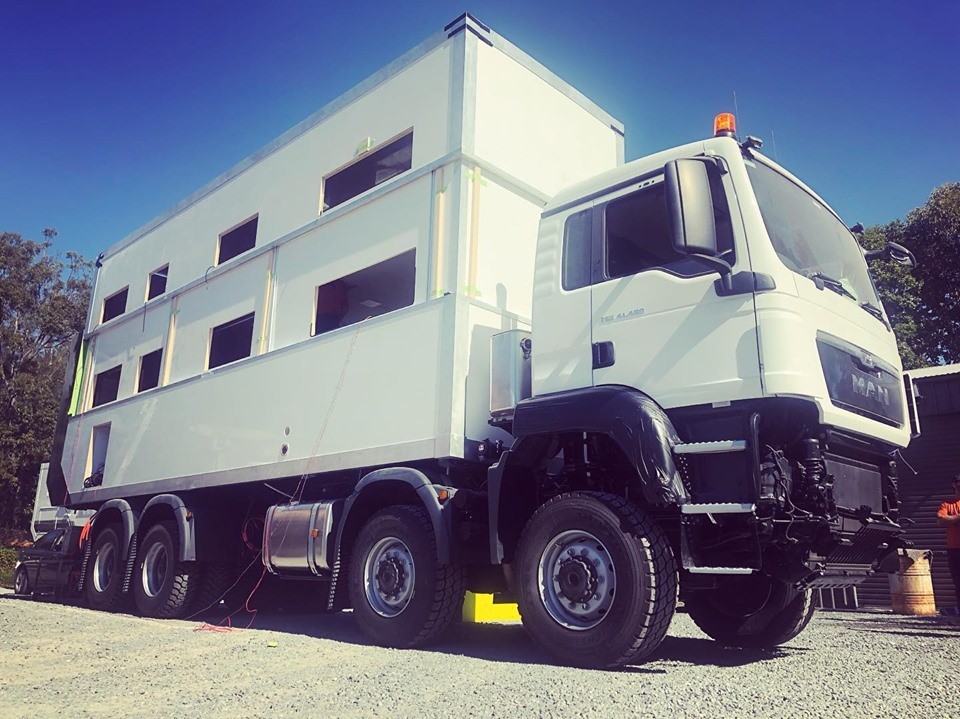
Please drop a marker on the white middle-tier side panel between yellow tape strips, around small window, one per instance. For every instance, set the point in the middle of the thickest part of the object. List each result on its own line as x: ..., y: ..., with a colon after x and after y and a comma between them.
x: 226, y: 297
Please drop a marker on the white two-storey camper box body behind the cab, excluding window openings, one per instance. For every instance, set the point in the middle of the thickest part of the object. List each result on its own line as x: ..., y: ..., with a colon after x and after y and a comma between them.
x: 493, y: 136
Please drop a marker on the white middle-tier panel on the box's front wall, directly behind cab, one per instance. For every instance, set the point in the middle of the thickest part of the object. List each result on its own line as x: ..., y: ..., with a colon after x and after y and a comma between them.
x: 507, y: 236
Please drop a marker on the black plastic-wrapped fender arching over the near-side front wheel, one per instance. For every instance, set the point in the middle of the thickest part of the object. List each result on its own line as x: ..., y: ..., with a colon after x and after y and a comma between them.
x: 633, y: 420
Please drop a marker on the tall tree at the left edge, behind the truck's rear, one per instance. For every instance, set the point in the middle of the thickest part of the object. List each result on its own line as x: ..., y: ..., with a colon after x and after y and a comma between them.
x: 43, y: 301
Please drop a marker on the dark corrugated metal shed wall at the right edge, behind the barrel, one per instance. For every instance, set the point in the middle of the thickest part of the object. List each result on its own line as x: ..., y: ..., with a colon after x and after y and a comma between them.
x: 935, y: 455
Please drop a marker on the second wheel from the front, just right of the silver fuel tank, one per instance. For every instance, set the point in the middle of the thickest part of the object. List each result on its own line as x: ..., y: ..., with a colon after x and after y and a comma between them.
x: 402, y: 597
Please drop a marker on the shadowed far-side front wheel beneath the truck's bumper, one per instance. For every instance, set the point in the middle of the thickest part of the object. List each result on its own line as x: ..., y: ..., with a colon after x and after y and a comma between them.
x: 753, y: 611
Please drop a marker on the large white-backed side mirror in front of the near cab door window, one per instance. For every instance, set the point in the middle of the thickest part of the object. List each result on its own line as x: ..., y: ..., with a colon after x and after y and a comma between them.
x: 690, y: 215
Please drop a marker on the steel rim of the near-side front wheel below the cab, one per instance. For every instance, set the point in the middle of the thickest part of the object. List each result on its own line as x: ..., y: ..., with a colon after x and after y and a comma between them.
x: 577, y: 580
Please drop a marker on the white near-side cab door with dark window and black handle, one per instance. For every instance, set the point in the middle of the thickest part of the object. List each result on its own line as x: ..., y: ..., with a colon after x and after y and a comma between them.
x: 661, y: 321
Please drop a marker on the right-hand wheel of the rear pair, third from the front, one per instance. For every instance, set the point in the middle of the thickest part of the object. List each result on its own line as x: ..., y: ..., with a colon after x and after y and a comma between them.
x: 163, y: 586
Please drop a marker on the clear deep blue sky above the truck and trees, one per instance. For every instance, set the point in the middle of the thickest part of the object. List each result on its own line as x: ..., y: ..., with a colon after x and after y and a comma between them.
x: 112, y: 112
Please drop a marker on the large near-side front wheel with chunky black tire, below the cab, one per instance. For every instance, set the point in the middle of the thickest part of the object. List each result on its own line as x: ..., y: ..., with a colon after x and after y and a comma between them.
x: 614, y: 580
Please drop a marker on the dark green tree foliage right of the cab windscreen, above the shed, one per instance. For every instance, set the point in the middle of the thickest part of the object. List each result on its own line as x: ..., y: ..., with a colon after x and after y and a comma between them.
x: 924, y: 304
